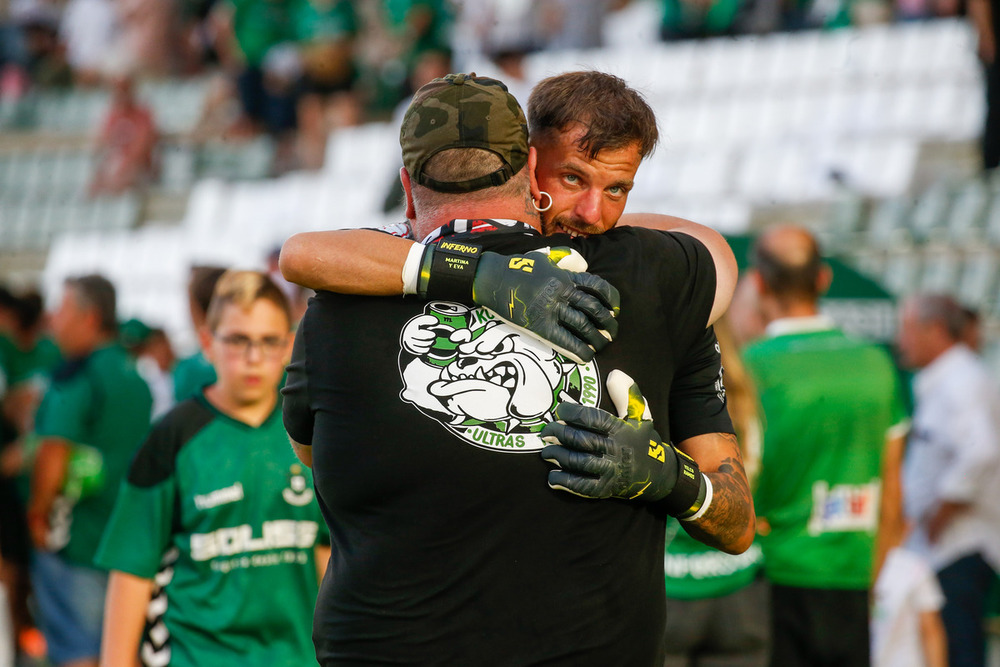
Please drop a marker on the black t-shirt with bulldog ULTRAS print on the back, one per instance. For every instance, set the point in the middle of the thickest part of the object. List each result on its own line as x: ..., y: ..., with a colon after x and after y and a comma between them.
x: 448, y: 546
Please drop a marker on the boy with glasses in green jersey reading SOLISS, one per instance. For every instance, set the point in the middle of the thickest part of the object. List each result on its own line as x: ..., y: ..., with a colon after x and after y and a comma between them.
x: 216, y: 522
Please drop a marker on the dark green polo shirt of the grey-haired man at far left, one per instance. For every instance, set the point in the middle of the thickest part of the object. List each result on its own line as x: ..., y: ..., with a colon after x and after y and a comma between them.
x: 102, y: 407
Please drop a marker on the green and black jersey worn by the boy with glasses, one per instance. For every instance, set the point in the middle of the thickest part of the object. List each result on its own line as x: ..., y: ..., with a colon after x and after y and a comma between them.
x: 224, y: 518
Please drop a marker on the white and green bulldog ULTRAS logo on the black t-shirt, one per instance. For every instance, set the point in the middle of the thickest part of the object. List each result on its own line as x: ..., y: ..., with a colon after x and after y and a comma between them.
x: 484, y: 381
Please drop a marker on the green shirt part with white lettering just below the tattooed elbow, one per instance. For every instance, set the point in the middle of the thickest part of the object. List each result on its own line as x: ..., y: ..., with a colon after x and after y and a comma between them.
x: 695, y: 571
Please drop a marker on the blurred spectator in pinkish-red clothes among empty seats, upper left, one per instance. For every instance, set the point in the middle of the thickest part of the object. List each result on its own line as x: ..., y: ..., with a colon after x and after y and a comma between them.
x: 127, y: 142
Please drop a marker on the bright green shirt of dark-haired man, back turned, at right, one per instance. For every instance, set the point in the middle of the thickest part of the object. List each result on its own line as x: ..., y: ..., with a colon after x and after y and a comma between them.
x: 829, y: 402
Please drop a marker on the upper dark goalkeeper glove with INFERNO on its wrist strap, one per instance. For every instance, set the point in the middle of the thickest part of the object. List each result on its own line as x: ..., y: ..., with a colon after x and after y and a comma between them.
x: 544, y: 293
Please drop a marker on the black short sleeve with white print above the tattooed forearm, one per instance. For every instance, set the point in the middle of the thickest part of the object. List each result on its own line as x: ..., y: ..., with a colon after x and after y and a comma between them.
x: 698, y: 395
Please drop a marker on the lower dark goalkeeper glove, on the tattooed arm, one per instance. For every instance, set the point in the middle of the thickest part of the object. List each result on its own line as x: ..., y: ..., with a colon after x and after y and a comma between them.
x: 601, y: 456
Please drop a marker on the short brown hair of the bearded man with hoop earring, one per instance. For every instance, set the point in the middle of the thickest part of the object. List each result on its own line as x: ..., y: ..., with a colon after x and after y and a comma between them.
x: 614, y: 114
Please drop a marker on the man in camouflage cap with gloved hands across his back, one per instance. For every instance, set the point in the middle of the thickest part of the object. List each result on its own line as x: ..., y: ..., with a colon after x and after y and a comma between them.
x: 425, y: 430
